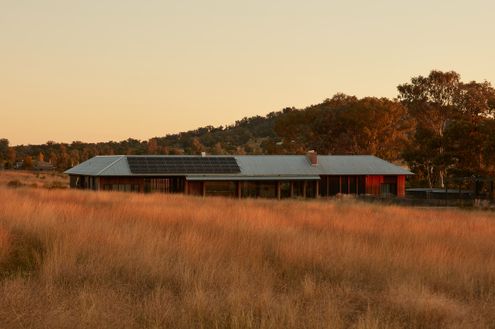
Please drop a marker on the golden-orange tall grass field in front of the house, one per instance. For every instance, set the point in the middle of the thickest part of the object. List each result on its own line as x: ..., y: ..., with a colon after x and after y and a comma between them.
x: 73, y: 259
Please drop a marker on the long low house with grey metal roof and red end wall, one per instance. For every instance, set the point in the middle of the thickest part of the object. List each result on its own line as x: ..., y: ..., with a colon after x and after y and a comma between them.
x: 270, y: 176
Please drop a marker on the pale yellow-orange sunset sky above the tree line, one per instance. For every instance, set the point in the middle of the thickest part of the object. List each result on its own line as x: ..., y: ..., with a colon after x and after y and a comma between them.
x: 101, y: 70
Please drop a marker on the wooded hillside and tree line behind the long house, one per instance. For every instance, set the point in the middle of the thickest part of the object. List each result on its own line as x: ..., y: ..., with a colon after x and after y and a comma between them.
x: 438, y: 125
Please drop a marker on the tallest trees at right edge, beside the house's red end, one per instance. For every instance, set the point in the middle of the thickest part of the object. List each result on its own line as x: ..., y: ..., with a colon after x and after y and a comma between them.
x: 452, y: 119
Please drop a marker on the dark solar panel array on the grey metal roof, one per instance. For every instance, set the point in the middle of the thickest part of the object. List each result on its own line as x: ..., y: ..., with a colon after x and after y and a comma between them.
x: 183, y: 165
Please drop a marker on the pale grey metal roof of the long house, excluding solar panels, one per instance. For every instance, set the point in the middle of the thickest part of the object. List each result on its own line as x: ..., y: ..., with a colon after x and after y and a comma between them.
x: 257, y: 166
